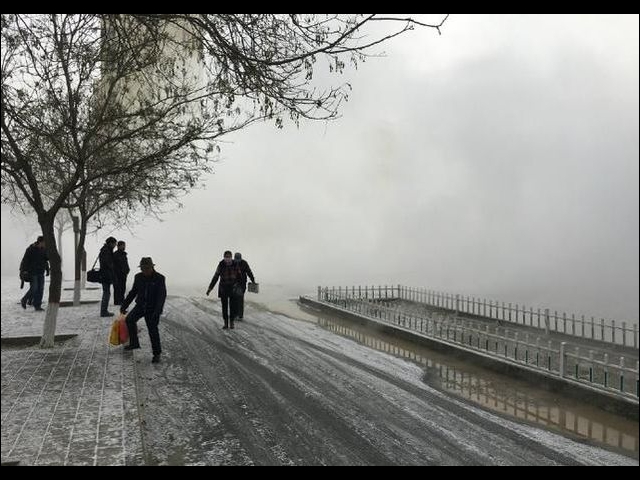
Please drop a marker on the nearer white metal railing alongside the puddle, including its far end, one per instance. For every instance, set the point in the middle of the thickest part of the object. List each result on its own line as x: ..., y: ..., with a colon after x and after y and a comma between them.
x: 600, y: 369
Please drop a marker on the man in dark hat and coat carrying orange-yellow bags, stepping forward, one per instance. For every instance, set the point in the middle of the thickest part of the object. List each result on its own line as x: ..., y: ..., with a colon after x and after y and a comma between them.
x: 150, y: 291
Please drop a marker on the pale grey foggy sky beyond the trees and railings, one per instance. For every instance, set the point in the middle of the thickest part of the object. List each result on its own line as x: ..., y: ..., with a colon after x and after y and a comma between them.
x: 499, y: 159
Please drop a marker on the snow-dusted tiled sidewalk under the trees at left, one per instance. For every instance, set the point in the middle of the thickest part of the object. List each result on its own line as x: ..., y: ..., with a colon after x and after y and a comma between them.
x: 74, y: 404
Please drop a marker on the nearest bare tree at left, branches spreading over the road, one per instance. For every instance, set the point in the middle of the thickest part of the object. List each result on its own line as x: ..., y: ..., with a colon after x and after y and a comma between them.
x: 94, y: 100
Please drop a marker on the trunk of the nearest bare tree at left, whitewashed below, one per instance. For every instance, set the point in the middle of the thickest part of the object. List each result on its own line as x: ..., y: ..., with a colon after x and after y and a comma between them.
x: 55, y: 283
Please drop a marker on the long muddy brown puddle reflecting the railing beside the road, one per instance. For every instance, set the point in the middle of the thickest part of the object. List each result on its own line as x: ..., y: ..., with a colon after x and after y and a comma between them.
x: 501, y: 394
